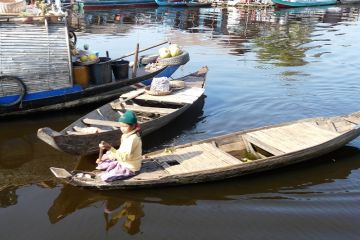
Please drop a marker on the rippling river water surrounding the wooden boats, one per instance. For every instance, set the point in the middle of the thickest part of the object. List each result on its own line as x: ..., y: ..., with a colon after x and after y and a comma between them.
x: 266, y: 67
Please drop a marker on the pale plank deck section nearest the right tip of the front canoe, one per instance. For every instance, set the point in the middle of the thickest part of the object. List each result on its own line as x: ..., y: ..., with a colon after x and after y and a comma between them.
x: 289, y: 138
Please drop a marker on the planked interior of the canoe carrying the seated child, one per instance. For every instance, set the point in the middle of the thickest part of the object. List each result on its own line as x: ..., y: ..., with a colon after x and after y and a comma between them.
x: 250, y: 146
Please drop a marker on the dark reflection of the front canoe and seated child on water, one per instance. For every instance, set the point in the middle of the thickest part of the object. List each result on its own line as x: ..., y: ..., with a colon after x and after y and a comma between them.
x: 129, y: 204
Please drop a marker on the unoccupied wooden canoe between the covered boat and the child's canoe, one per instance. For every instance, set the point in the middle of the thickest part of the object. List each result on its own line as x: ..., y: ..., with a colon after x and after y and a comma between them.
x: 83, y: 136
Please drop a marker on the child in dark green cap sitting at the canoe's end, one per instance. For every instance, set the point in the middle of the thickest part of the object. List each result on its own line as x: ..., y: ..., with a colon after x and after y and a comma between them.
x: 126, y: 161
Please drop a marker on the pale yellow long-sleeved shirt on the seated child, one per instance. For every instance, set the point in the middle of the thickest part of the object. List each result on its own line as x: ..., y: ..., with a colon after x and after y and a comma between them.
x: 129, y: 153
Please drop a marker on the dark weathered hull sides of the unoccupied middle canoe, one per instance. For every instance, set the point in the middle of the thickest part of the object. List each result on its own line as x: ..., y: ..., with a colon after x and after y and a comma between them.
x: 88, y: 144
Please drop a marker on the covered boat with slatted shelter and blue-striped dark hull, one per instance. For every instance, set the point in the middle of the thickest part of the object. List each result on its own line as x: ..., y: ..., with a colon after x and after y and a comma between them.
x: 36, y: 71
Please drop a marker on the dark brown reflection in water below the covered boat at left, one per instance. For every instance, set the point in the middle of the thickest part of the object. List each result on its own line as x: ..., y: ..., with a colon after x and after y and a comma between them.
x: 24, y: 159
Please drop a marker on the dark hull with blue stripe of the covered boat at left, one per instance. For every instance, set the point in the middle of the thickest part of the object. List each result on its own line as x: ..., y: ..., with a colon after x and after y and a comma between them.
x: 100, y: 93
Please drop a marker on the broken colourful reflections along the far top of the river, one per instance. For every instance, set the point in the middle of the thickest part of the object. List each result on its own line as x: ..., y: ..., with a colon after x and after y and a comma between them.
x: 280, y: 36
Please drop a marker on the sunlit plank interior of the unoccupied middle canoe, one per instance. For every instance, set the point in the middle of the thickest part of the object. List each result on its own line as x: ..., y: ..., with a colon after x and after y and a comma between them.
x: 147, y: 107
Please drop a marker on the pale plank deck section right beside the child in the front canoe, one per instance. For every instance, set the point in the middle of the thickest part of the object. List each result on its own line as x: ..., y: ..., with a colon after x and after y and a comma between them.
x: 195, y: 158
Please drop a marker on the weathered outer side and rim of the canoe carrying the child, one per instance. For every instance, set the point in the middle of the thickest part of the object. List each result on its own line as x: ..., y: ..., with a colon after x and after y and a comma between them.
x: 233, y: 170
